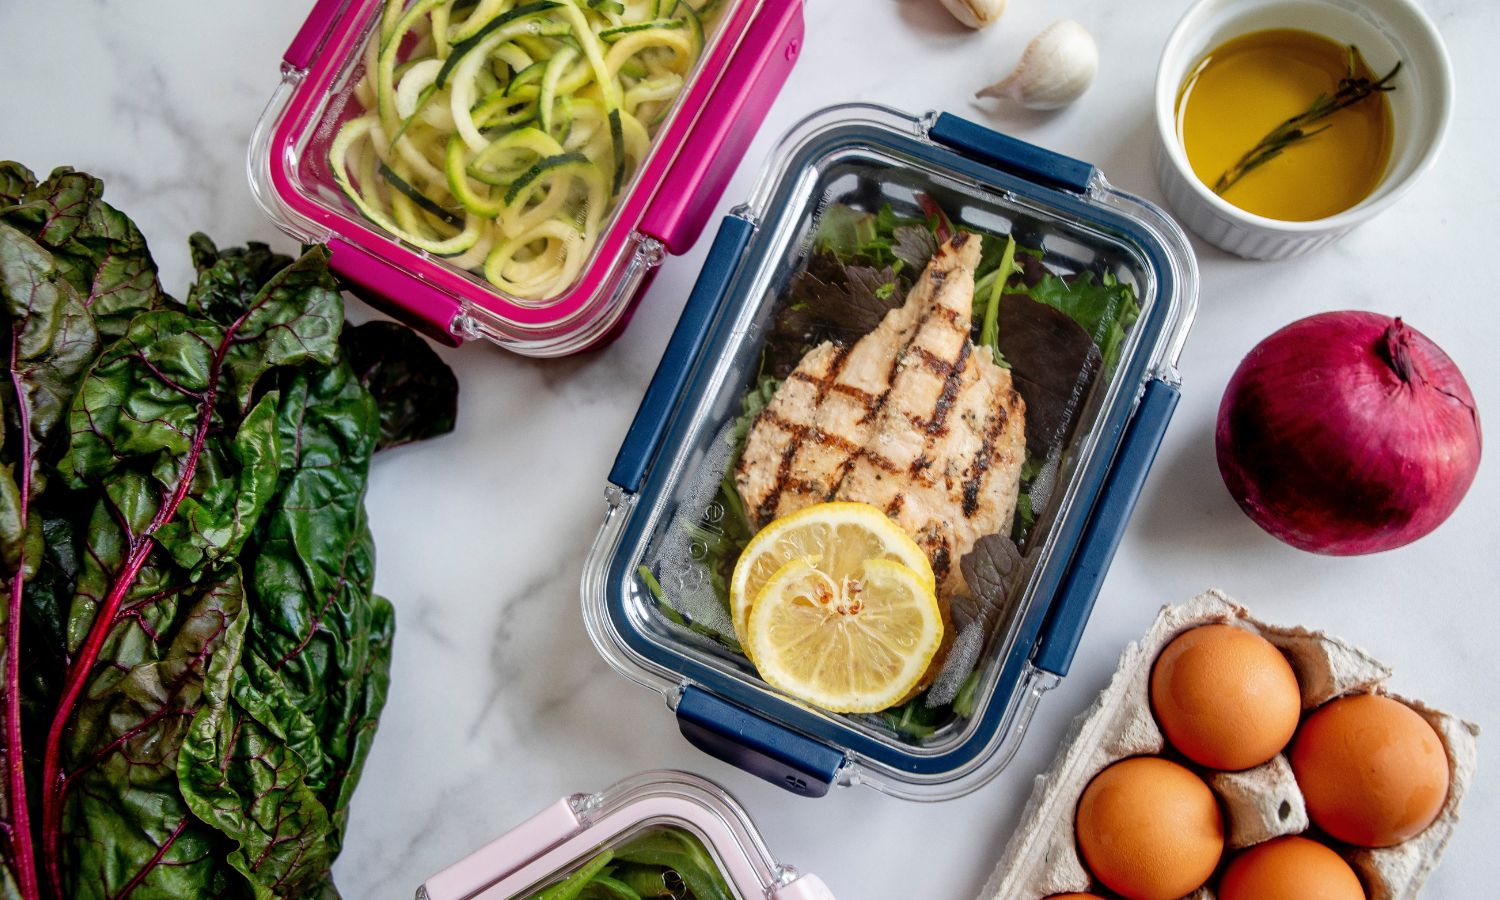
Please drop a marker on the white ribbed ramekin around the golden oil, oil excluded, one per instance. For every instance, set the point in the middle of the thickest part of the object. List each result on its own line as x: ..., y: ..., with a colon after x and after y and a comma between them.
x: 1385, y: 32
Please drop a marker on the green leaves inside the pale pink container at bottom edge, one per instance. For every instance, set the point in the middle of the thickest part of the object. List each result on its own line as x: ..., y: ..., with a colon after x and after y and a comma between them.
x: 661, y: 863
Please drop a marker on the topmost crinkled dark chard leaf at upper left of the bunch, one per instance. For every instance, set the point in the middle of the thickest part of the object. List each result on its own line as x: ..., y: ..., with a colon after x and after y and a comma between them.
x: 98, y: 250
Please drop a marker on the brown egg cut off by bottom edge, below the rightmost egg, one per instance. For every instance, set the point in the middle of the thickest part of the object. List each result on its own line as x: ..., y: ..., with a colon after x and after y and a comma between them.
x: 1291, y: 869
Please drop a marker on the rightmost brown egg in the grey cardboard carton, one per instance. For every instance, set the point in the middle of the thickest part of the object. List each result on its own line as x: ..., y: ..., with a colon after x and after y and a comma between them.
x: 1373, y: 772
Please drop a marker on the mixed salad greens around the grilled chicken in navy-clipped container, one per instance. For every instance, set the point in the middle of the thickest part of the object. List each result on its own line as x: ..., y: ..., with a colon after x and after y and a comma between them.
x: 1057, y: 334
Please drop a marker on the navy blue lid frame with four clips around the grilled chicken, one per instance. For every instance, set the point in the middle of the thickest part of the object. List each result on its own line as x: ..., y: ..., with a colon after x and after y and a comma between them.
x: 728, y: 712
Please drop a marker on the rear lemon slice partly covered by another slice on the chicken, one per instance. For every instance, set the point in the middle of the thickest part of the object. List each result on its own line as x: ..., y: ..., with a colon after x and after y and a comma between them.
x: 839, y: 536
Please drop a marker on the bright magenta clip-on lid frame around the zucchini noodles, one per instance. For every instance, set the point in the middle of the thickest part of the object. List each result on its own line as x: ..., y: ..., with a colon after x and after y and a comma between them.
x: 670, y: 202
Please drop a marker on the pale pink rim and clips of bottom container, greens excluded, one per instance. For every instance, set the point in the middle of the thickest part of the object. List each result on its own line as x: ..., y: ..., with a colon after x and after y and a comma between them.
x: 565, y: 836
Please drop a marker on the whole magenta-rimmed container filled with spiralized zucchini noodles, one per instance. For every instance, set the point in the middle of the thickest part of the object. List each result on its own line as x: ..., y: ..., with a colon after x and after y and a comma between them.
x: 659, y: 203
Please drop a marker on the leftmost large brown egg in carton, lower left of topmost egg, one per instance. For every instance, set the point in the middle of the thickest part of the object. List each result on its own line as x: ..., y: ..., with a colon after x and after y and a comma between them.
x: 1150, y: 829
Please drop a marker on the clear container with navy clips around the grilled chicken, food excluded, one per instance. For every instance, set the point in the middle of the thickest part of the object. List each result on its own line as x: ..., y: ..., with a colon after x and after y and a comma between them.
x: 872, y: 158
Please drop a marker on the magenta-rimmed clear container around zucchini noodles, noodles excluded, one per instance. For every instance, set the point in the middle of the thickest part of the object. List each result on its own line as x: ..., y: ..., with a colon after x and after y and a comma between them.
x: 659, y: 214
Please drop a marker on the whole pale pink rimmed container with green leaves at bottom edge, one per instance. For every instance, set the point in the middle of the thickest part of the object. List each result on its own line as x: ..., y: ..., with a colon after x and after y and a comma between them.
x: 590, y: 836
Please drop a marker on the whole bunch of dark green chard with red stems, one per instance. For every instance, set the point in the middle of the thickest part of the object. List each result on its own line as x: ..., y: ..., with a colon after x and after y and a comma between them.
x: 190, y: 559
